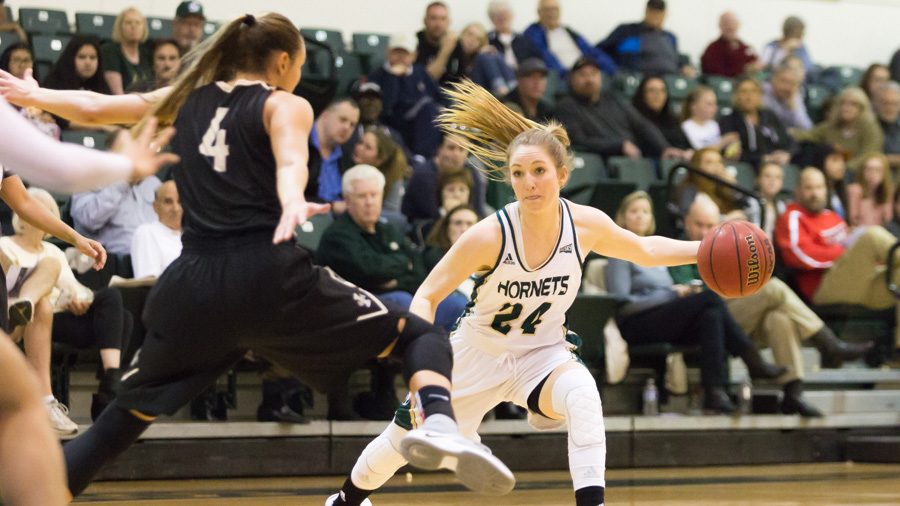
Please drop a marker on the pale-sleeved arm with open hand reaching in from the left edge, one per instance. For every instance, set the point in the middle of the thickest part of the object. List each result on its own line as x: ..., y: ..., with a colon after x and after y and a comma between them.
x: 69, y: 168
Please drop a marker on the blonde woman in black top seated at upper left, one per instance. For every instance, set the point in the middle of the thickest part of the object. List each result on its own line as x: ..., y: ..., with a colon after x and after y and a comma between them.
x: 127, y: 59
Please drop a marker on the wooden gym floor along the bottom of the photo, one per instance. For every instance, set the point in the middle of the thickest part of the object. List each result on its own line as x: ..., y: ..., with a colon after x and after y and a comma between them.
x: 781, y: 485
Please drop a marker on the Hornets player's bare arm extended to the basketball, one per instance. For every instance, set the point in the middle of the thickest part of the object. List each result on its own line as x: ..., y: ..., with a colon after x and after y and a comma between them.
x: 599, y: 233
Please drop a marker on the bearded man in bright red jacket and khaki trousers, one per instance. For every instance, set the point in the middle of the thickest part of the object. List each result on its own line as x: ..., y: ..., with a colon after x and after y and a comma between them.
x: 832, y: 266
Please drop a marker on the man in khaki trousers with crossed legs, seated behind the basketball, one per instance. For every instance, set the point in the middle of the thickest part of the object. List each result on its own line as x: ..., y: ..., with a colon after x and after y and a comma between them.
x: 775, y: 317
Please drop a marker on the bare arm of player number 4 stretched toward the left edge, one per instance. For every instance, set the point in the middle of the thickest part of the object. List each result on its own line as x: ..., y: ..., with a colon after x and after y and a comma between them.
x: 78, y: 105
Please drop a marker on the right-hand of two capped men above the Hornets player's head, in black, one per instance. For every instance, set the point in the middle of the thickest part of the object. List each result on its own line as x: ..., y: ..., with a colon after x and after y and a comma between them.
x: 603, y: 124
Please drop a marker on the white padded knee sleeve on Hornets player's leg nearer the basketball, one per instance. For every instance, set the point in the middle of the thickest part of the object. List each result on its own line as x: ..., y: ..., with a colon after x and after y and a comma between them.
x: 575, y: 394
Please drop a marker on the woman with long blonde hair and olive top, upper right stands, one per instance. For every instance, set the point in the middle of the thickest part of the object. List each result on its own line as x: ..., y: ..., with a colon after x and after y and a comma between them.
x: 850, y: 127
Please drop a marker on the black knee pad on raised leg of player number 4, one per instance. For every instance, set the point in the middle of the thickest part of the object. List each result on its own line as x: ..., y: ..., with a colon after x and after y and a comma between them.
x: 424, y: 346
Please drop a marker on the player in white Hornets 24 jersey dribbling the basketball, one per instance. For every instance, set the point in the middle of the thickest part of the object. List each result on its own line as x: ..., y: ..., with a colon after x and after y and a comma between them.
x: 510, y: 344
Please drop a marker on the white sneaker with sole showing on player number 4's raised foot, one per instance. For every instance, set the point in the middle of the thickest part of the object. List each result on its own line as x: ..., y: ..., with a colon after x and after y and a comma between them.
x: 437, y: 444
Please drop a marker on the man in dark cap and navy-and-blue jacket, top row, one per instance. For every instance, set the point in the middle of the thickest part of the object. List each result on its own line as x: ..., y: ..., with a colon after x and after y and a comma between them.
x: 645, y: 46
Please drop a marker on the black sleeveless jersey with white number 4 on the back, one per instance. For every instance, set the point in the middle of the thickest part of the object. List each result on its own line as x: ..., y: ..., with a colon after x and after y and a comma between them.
x: 226, y: 177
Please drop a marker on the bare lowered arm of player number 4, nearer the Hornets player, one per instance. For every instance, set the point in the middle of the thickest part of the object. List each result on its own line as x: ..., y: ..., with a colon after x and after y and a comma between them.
x: 288, y: 120
